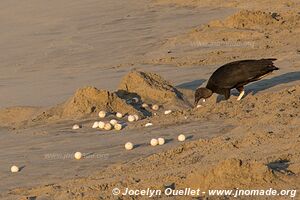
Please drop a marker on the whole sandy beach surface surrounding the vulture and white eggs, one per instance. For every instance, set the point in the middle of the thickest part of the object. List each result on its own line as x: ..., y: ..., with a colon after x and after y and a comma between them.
x: 159, y: 54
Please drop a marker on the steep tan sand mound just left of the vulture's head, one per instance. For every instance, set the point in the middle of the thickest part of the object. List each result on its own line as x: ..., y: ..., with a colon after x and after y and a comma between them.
x: 151, y: 87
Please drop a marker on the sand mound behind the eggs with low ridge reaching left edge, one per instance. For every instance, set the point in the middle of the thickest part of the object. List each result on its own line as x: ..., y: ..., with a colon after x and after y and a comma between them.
x: 85, y: 102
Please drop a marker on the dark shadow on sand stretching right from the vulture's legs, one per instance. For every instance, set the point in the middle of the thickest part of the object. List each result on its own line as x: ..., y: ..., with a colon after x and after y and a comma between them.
x: 274, y: 81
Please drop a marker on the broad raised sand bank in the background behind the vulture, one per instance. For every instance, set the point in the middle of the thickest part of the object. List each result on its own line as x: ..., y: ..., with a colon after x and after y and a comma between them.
x: 247, y: 34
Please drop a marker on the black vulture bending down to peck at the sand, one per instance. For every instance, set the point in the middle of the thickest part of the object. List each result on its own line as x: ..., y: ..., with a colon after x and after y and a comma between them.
x: 235, y: 75
